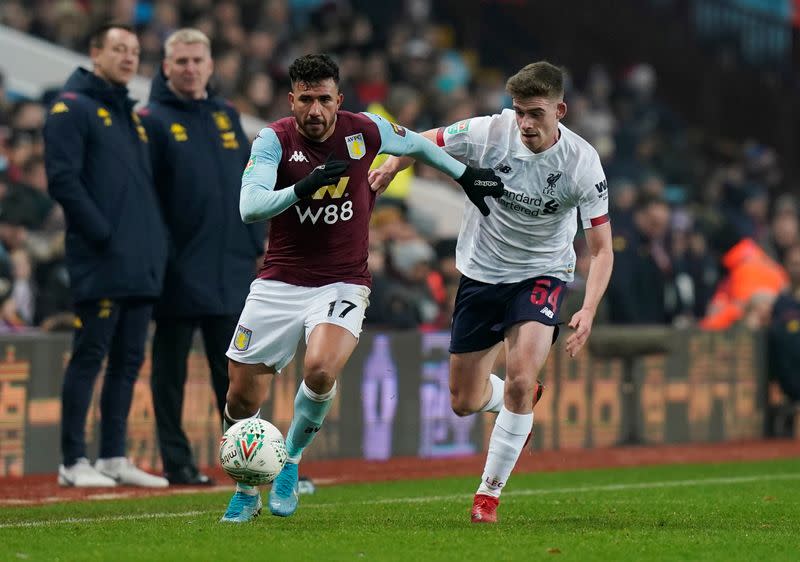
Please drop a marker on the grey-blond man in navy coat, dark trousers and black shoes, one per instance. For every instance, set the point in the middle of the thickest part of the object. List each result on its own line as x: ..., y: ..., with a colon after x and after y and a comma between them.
x: 198, y: 152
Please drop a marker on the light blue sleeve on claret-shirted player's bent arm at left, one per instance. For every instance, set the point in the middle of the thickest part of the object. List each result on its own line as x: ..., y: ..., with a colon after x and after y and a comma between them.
x: 258, y: 199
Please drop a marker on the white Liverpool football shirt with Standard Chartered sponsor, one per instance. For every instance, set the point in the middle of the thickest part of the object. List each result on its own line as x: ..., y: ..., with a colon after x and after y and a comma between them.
x: 531, y: 229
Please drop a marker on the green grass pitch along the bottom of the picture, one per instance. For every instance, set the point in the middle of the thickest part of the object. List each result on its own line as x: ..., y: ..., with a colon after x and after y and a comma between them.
x: 720, y: 512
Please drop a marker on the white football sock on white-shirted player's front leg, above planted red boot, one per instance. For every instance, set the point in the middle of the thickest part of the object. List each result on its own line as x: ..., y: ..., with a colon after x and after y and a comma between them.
x: 508, y: 437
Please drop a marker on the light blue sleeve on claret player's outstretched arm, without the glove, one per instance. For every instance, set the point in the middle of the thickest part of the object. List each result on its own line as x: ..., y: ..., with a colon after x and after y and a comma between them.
x: 399, y: 141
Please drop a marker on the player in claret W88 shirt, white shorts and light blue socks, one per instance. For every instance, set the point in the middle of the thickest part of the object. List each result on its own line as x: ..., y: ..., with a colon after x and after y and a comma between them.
x: 308, y: 173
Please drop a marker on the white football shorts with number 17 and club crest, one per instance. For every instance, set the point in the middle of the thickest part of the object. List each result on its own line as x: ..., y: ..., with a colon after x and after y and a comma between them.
x: 277, y: 314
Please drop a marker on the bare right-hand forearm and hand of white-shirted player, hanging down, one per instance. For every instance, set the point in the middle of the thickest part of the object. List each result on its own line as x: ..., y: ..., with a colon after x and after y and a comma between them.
x: 598, y: 238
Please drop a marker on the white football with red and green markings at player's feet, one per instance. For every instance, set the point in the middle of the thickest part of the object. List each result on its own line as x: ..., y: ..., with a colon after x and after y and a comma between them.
x: 252, y: 452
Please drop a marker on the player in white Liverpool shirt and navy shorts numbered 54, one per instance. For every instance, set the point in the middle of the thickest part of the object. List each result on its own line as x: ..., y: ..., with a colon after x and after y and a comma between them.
x: 516, y: 262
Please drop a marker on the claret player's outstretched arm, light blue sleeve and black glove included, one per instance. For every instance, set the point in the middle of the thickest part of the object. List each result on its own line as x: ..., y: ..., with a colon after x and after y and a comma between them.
x: 476, y: 182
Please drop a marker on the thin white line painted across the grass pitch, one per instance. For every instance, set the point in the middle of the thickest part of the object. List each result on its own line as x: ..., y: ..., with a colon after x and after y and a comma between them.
x: 427, y: 499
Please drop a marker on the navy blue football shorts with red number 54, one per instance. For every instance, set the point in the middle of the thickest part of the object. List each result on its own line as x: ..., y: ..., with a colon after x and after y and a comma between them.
x: 484, y: 311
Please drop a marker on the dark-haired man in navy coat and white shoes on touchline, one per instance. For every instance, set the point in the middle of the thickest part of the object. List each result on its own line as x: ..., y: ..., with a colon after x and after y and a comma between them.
x: 98, y: 169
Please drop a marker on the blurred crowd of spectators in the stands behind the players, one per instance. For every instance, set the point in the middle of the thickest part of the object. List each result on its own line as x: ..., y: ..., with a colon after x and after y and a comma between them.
x: 683, y: 201
